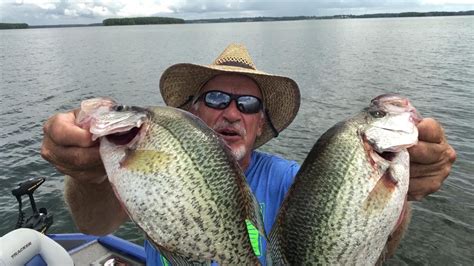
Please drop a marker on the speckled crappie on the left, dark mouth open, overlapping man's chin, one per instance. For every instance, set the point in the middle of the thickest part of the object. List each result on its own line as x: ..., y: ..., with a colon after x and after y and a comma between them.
x: 177, y: 180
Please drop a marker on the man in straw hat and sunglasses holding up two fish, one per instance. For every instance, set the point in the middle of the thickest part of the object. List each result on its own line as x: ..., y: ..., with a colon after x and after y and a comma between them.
x: 247, y: 108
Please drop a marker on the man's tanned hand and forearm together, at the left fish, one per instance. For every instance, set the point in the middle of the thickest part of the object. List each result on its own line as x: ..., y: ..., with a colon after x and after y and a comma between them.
x: 92, y: 202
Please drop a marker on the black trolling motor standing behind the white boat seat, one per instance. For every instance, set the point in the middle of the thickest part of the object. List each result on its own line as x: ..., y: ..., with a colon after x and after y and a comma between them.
x: 40, y: 220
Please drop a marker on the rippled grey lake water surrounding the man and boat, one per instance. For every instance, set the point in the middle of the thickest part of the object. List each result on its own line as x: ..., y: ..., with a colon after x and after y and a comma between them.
x: 339, y: 65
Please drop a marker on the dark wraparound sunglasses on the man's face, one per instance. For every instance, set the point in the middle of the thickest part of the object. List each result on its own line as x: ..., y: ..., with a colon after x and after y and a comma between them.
x: 220, y: 100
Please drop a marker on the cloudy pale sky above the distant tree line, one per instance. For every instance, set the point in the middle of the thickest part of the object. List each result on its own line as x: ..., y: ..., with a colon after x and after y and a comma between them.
x: 46, y: 12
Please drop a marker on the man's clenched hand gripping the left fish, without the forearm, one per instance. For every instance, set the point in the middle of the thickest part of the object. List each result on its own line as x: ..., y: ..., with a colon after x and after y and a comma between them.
x: 71, y: 149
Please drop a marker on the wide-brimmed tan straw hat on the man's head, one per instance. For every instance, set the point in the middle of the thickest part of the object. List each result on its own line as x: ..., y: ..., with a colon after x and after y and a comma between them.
x: 180, y: 83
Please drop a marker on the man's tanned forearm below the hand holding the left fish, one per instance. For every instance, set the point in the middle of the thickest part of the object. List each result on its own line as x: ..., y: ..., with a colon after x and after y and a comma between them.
x: 94, y: 207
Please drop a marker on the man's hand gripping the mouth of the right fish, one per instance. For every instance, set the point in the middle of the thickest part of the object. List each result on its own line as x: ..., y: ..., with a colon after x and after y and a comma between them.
x: 430, y: 160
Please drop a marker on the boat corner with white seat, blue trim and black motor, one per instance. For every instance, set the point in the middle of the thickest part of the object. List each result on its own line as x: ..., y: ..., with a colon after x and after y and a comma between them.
x: 29, y: 244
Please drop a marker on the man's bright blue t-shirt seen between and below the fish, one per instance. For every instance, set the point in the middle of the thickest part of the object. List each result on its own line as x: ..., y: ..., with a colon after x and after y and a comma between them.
x: 269, y: 178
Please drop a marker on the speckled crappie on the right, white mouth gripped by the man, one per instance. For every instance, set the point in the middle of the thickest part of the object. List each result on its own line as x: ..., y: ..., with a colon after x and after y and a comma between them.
x: 350, y: 191
